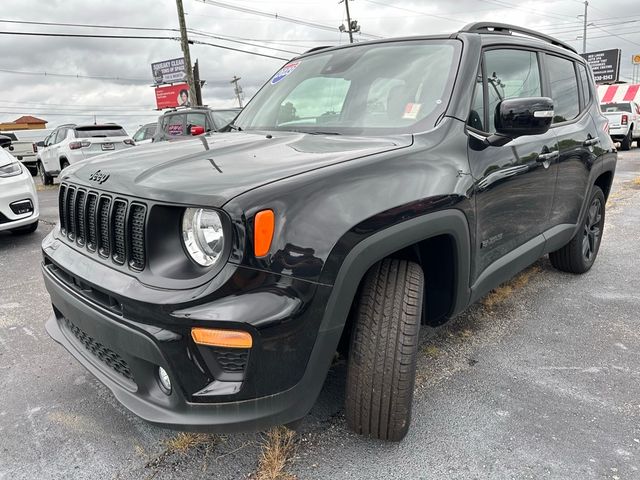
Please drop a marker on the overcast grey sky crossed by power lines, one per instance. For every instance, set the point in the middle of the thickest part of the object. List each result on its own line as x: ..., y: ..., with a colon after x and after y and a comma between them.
x: 130, y: 101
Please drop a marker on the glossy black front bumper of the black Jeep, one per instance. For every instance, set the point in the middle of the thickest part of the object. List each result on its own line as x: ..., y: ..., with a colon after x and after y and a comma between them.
x: 125, y: 354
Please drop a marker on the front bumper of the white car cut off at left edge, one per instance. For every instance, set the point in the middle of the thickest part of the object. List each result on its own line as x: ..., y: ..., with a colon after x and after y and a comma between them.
x: 17, y: 189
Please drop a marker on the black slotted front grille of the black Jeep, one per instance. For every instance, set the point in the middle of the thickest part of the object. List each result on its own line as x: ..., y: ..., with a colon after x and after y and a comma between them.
x: 114, y: 227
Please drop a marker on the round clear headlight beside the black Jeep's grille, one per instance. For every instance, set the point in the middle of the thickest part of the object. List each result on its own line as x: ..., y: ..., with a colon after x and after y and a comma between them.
x: 202, y: 235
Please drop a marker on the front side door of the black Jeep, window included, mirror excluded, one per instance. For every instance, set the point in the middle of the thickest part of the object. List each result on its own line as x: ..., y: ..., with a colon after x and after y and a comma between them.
x: 514, y: 183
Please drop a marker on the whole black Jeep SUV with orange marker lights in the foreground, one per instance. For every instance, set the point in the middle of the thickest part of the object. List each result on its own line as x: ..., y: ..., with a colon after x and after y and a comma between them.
x: 364, y: 190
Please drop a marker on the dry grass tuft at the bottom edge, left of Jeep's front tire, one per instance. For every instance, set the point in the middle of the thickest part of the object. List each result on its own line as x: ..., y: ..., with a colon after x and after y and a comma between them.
x: 278, y: 448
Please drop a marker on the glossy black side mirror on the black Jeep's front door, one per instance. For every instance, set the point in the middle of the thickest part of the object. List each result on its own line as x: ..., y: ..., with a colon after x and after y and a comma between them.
x: 517, y: 117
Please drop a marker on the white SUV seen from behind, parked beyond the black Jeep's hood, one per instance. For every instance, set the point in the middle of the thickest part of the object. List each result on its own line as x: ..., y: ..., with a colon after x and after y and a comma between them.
x: 69, y: 144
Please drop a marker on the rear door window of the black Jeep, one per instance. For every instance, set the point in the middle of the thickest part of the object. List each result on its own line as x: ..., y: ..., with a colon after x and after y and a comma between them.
x: 564, y: 88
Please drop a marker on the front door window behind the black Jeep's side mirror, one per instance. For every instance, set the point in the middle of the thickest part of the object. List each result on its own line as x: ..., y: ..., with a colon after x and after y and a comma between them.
x: 510, y: 74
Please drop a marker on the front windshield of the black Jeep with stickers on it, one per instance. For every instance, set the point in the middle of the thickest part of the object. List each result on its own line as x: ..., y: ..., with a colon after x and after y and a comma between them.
x: 384, y: 88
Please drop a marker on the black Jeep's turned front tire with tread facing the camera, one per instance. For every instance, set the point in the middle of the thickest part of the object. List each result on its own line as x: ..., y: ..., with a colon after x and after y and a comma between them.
x: 384, y: 343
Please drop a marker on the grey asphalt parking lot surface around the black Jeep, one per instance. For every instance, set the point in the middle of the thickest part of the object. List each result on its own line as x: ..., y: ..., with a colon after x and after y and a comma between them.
x: 539, y: 380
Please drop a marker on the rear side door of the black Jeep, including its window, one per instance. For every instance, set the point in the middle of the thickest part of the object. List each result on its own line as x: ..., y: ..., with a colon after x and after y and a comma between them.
x: 569, y: 86
